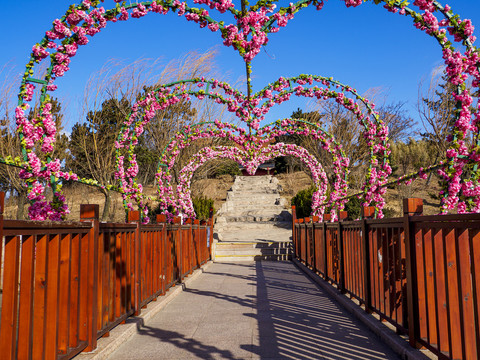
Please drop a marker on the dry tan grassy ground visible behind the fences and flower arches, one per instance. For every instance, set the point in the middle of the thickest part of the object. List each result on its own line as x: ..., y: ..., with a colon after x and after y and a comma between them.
x: 217, y: 190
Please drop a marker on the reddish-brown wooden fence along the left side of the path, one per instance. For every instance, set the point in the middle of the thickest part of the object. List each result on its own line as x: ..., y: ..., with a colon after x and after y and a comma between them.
x: 66, y: 284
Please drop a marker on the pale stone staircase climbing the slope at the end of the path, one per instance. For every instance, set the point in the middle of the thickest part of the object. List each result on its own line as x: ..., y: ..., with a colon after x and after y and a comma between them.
x: 254, y: 223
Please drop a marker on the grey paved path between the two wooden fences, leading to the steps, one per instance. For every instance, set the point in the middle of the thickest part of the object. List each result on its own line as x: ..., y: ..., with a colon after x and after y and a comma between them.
x: 261, y: 310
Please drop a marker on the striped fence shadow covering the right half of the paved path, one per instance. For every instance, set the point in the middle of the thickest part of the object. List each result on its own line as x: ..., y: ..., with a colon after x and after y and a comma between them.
x: 296, y: 320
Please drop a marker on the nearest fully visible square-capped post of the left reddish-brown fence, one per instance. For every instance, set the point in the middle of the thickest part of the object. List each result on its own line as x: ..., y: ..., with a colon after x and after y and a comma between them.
x: 91, y: 213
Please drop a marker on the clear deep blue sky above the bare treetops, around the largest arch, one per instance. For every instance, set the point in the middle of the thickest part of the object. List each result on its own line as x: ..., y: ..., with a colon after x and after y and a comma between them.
x: 365, y: 47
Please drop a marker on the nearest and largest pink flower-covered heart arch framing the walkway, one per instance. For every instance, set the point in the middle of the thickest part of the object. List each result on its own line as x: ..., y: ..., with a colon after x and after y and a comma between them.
x: 247, y: 36
